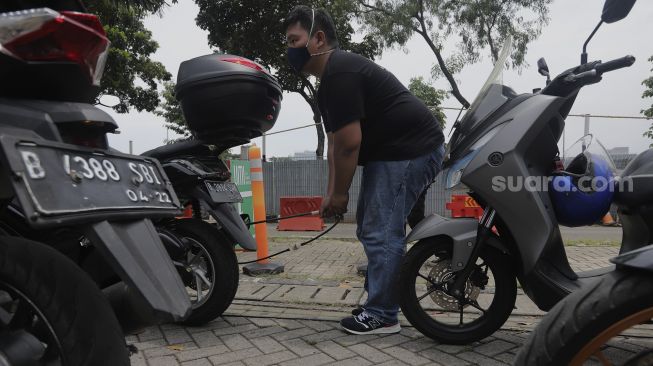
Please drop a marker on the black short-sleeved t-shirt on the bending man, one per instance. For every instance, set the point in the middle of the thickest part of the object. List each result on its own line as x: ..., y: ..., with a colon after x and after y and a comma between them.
x: 395, y: 124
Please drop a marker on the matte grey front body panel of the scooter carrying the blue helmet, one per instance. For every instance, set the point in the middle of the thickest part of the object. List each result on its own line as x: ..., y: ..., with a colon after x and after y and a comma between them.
x: 522, y: 151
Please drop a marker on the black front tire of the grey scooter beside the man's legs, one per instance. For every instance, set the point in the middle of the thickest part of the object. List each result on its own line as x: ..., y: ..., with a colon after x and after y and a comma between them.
x: 497, y: 312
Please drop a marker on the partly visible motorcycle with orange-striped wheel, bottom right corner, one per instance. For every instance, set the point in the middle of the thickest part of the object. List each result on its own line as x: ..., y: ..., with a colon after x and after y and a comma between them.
x: 597, y: 314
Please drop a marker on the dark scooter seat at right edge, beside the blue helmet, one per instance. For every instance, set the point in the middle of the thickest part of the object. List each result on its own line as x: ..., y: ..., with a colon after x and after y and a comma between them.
x: 635, y: 186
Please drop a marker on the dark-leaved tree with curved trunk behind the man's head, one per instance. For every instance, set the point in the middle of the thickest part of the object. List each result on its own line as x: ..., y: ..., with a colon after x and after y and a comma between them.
x: 254, y: 29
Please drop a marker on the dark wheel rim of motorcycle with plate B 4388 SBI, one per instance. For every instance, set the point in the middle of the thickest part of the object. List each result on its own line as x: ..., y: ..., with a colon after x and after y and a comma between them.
x: 19, y: 313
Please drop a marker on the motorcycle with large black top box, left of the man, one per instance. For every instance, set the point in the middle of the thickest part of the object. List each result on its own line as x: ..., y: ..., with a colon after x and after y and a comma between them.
x: 226, y: 100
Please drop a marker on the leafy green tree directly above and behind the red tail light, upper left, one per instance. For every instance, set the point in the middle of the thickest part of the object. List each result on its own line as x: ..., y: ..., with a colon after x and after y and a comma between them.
x: 130, y: 74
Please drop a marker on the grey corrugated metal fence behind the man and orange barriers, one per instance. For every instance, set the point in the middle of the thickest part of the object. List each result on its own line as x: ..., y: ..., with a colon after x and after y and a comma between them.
x: 309, y: 178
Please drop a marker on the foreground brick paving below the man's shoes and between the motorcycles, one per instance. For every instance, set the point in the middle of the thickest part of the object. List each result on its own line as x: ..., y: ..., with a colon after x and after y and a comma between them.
x: 276, y: 341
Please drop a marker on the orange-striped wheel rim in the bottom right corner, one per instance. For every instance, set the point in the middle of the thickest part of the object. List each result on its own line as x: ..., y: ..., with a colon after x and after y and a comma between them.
x: 595, y: 346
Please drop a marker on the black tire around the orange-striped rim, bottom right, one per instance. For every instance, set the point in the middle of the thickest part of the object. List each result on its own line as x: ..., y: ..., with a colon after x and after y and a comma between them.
x: 581, y: 316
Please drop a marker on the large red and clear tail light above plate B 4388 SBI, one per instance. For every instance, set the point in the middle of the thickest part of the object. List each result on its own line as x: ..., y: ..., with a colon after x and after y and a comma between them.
x: 44, y: 35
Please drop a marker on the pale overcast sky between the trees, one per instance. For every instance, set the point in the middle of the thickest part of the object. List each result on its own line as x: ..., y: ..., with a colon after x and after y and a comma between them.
x: 560, y: 43
